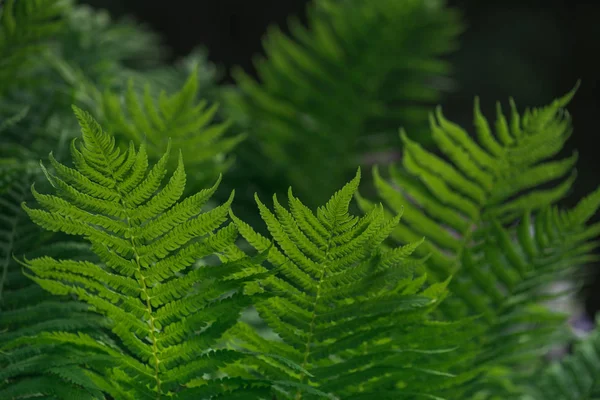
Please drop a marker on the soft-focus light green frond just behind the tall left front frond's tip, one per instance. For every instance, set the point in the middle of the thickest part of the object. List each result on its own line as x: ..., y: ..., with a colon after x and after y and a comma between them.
x: 180, y: 118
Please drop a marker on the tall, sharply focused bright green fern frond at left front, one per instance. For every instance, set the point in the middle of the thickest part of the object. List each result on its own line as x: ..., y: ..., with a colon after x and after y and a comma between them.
x: 167, y: 310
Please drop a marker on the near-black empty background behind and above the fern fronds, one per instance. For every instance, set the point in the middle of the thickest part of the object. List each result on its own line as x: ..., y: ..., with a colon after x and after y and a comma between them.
x: 533, y: 51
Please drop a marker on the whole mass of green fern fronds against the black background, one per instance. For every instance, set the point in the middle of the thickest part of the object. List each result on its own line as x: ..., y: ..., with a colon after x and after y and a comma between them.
x: 151, y: 254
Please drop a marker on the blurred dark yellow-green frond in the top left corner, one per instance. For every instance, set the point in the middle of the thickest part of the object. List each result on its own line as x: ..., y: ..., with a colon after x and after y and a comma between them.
x: 25, y: 28
